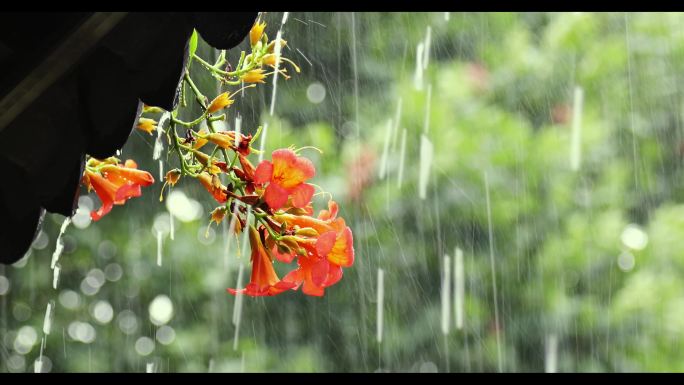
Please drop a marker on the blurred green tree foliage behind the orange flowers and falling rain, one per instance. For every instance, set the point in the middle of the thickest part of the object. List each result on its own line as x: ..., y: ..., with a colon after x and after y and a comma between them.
x: 552, y: 152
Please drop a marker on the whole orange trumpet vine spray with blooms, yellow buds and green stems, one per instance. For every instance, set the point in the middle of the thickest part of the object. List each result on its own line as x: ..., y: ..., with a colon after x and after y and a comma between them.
x: 272, y: 201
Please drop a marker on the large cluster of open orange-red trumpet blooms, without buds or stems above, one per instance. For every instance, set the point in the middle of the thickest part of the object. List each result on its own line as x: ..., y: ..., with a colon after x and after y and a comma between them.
x: 322, y: 245
